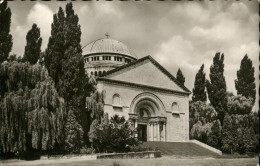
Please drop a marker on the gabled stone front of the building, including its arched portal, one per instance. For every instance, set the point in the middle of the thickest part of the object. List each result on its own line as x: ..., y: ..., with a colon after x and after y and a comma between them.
x: 148, y: 95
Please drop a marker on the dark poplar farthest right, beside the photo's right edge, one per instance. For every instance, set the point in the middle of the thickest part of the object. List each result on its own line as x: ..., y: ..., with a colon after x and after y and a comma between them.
x: 245, y: 82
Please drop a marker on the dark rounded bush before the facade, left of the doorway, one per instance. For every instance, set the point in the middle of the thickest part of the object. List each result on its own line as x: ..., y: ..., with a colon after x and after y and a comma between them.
x: 114, y: 135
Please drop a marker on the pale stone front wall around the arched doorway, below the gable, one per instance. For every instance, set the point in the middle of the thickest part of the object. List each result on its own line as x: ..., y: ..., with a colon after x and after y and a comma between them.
x: 177, y: 127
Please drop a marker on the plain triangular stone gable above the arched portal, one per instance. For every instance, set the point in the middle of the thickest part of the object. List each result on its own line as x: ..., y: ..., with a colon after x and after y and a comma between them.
x: 145, y: 73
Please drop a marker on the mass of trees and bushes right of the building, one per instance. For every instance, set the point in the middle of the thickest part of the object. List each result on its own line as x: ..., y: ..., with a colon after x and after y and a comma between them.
x: 238, y: 130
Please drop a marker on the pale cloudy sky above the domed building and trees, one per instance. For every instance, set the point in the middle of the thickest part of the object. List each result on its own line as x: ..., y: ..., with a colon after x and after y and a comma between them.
x: 178, y: 34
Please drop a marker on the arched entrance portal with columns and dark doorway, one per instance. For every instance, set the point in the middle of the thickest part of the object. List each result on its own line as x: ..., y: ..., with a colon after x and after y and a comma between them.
x: 148, y: 116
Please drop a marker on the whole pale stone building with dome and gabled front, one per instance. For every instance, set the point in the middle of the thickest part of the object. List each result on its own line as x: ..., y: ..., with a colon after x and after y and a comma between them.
x: 141, y: 90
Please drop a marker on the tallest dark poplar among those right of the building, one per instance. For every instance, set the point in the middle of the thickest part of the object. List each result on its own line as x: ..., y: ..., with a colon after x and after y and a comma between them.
x: 216, y: 87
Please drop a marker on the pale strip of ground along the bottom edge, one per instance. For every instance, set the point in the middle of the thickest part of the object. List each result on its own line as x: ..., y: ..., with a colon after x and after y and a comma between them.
x: 143, y: 162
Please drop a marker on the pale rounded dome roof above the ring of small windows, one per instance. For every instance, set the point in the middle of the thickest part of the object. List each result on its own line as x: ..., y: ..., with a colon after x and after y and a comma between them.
x: 107, y: 46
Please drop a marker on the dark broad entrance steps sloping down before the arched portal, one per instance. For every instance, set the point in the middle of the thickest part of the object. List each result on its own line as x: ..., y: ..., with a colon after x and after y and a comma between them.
x: 181, y: 149
